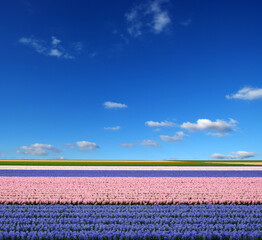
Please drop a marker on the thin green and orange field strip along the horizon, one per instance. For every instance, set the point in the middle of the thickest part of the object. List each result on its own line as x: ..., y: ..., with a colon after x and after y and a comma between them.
x: 123, y: 163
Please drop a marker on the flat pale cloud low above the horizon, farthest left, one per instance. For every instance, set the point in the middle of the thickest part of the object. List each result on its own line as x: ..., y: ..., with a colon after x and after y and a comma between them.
x: 38, y: 149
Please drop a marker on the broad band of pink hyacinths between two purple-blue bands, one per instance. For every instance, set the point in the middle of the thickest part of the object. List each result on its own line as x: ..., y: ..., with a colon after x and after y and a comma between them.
x: 130, y: 190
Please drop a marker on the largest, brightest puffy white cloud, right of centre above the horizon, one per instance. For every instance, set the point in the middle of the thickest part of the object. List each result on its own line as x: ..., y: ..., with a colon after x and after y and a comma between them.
x: 221, y: 127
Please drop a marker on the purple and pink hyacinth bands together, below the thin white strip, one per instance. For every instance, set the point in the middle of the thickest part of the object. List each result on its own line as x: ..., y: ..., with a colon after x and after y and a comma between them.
x: 102, y: 204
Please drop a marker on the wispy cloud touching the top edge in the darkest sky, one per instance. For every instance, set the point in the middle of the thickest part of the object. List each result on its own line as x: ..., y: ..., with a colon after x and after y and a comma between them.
x: 150, y: 15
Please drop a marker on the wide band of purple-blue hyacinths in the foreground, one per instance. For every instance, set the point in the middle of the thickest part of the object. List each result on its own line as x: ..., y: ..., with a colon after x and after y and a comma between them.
x: 130, y: 222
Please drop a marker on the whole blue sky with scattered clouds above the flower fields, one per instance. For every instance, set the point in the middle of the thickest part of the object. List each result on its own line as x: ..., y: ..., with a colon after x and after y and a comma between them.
x: 127, y: 80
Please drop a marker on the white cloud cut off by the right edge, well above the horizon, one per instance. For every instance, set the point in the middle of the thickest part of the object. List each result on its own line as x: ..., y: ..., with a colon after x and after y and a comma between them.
x: 247, y: 93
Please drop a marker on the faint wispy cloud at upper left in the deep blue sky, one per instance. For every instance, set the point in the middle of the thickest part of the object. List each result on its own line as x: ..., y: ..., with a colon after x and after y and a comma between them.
x: 51, y: 48
